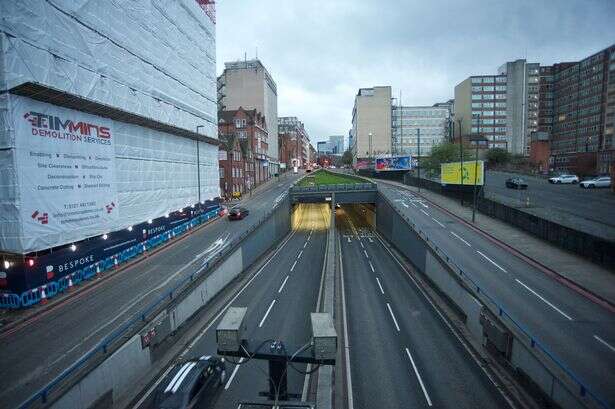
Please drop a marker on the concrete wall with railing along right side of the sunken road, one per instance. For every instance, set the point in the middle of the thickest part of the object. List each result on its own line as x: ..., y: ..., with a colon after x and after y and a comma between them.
x: 526, y: 353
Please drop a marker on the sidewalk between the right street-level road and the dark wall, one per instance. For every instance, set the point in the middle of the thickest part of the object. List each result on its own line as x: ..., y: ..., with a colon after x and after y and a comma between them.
x: 574, y: 268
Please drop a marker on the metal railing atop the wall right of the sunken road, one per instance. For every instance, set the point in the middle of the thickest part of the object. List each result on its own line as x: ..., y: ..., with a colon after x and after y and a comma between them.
x: 501, y: 311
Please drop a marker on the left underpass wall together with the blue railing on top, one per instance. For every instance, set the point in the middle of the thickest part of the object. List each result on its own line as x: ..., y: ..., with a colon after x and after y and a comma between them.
x: 122, y: 358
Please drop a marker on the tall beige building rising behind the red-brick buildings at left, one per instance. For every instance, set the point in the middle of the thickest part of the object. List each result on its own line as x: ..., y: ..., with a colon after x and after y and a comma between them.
x: 248, y: 84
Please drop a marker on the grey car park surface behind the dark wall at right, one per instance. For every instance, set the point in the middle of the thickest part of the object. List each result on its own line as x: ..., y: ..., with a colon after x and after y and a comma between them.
x: 588, y: 210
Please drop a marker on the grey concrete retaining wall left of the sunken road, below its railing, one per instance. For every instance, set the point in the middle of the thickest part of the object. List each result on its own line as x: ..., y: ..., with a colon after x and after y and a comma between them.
x: 115, y: 376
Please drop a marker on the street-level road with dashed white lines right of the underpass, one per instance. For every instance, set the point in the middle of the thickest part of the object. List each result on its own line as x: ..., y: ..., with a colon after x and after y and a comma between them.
x: 578, y: 332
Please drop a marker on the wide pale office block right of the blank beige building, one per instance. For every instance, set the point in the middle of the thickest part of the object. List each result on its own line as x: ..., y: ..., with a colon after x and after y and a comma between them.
x: 410, y: 123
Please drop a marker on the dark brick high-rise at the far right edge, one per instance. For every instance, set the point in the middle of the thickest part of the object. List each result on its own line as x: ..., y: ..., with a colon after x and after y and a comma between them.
x: 584, y: 114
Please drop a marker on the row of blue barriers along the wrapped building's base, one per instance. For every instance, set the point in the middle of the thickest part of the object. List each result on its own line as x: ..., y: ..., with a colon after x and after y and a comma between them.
x: 53, y: 288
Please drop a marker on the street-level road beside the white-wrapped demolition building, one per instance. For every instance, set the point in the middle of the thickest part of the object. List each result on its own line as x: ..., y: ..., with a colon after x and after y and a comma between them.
x: 37, y: 351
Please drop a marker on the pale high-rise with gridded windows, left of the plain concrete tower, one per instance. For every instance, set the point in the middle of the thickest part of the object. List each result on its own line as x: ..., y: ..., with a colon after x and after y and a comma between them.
x: 481, y: 107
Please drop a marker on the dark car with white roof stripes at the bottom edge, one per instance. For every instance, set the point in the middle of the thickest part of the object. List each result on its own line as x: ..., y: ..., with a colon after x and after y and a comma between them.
x: 191, y: 383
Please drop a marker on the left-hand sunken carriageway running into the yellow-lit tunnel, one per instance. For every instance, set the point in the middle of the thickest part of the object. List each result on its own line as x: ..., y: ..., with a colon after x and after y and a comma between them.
x: 279, y: 301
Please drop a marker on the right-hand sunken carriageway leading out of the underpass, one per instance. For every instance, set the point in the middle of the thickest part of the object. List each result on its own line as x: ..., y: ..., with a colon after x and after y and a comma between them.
x: 402, y: 354
